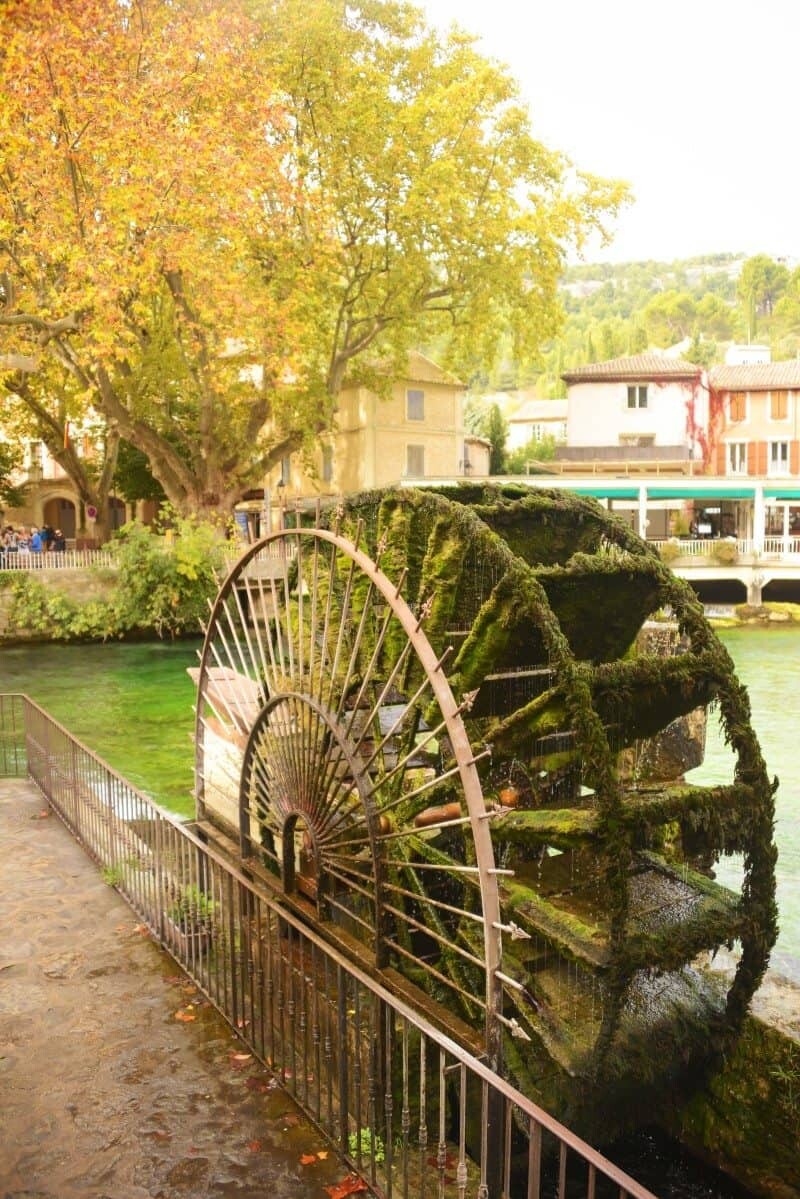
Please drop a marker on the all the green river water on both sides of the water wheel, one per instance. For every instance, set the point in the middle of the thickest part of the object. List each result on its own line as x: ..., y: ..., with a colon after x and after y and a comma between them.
x: 133, y: 704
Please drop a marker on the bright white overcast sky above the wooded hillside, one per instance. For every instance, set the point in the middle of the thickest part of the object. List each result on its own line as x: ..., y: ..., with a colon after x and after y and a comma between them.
x: 695, y: 103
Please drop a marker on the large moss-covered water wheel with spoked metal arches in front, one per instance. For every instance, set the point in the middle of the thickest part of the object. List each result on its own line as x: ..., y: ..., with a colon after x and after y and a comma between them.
x: 454, y: 732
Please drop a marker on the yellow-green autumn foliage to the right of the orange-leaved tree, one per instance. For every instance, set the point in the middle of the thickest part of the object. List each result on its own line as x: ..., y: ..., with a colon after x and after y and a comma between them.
x: 452, y: 221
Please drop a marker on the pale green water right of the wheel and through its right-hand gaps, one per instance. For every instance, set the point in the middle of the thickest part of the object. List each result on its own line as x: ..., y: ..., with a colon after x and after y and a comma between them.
x: 768, y: 662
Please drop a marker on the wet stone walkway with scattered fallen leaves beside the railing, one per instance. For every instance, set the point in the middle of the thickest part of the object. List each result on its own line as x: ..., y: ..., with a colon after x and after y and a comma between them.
x: 105, y: 1094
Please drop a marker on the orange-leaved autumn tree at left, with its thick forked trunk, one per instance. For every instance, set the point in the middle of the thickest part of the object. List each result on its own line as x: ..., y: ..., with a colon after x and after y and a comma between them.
x: 142, y: 158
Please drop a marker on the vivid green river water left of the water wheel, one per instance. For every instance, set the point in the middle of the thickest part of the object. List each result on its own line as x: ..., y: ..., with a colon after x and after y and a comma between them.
x: 131, y: 704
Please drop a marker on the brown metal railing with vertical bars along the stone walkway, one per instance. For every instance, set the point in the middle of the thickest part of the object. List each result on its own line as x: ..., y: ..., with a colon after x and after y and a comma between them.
x: 410, y: 1110
